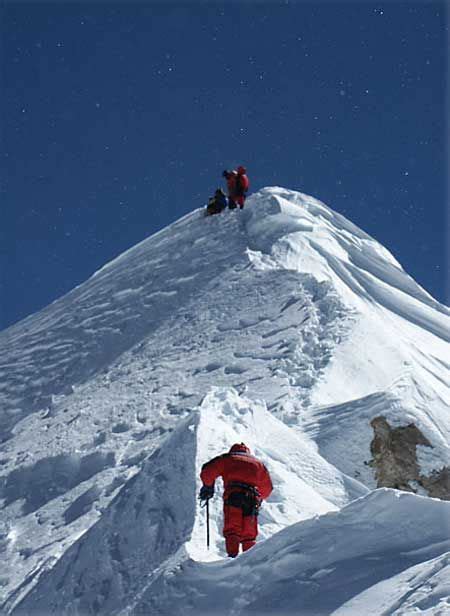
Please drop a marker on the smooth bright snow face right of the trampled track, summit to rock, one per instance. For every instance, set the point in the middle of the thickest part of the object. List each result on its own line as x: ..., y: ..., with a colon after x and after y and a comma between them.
x: 393, y: 359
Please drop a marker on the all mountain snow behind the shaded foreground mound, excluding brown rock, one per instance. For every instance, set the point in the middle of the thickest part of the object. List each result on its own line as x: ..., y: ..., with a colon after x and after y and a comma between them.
x: 307, y: 317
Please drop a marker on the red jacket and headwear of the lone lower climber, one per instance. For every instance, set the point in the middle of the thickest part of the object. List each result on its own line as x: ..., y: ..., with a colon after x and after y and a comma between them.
x: 238, y: 466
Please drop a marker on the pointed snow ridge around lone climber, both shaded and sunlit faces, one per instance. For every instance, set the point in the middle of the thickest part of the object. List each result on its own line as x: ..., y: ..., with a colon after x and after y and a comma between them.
x: 155, y: 521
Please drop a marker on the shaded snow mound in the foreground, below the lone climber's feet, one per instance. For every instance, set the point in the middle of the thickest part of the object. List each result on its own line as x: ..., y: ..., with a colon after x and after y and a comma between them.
x: 385, y: 553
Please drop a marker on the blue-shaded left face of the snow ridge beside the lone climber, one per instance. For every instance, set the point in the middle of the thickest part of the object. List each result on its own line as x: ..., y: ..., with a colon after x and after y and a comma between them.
x: 146, y: 523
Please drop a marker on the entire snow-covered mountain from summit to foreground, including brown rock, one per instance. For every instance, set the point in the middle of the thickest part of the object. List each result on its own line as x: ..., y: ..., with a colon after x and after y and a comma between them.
x: 282, y: 325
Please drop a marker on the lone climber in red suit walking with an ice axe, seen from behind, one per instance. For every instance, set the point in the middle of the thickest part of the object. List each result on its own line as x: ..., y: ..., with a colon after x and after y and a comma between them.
x: 246, y: 484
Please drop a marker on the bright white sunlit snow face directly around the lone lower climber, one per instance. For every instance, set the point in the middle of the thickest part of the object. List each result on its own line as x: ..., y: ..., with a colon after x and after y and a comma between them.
x: 226, y: 418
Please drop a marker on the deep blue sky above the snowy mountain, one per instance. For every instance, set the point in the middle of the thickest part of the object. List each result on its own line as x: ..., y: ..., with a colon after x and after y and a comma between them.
x: 119, y: 118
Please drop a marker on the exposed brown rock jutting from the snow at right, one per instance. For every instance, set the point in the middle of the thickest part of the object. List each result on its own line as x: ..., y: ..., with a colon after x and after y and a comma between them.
x: 395, y: 460
